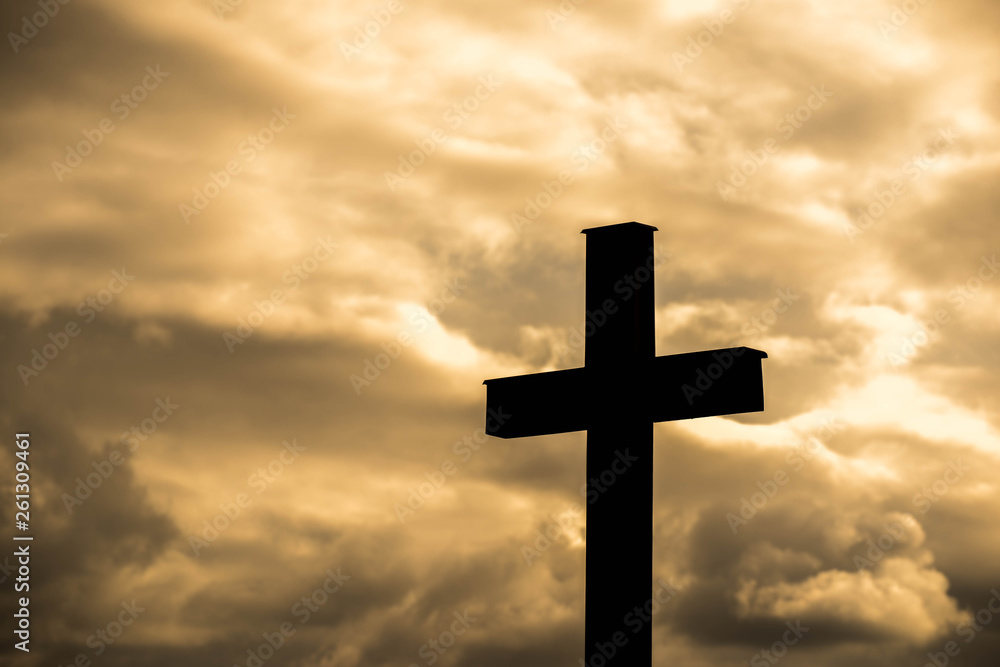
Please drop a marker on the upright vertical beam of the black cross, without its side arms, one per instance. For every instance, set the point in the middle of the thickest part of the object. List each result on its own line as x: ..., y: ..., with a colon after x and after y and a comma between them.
x: 619, y: 355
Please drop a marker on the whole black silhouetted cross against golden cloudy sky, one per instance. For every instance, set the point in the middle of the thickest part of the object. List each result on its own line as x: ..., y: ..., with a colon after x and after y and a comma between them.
x: 616, y: 397
